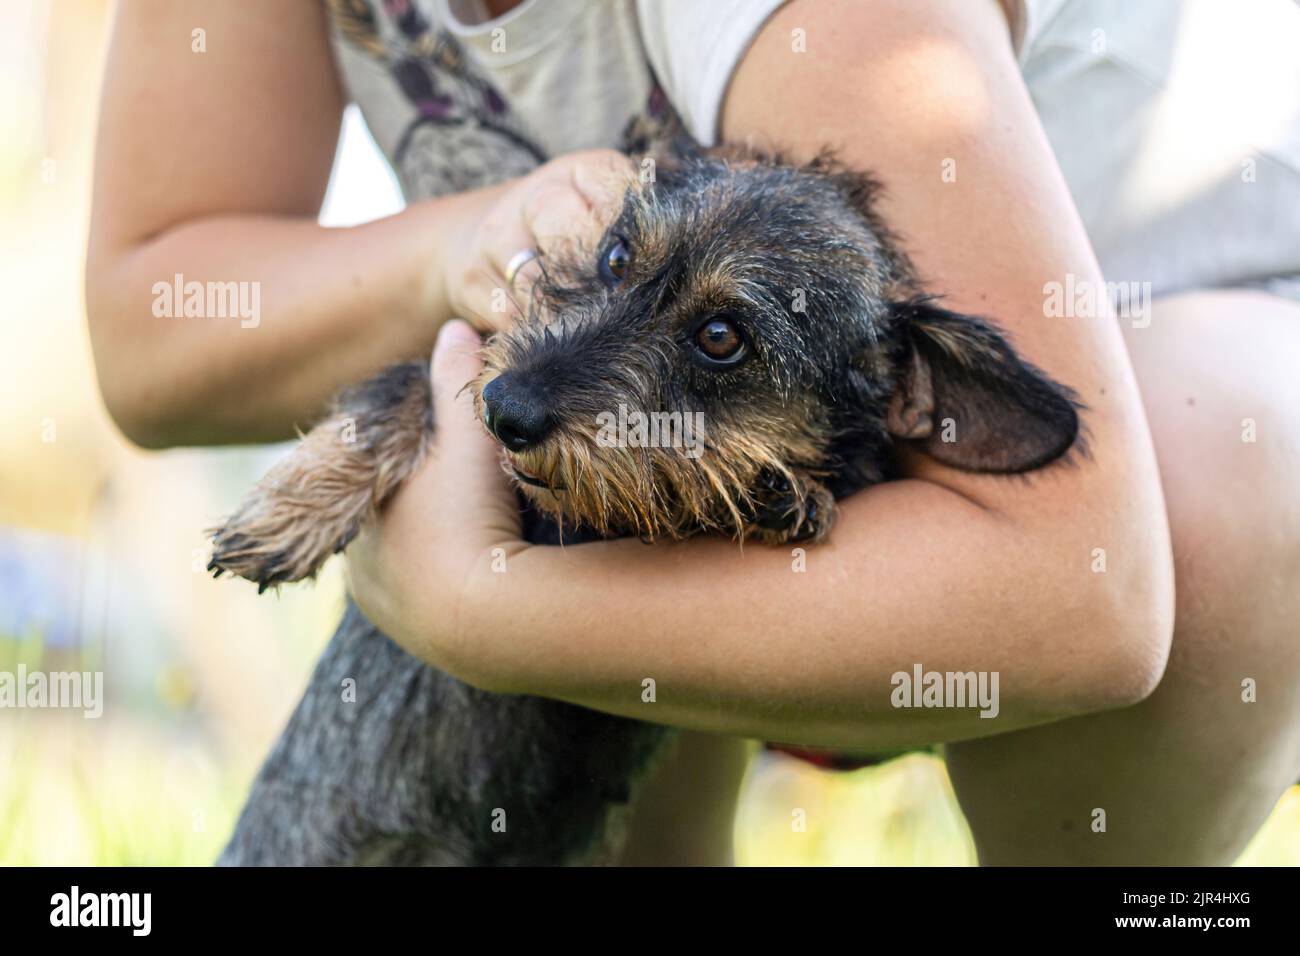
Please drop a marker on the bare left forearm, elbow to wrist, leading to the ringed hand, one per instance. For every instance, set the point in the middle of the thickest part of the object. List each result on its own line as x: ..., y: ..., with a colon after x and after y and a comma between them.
x: 318, y: 309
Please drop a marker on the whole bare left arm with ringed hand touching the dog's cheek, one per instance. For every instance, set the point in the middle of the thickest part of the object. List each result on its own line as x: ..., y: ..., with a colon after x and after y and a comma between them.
x: 214, y: 166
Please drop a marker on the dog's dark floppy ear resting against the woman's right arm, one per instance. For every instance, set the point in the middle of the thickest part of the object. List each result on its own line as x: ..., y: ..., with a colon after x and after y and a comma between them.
x: 969, y: 401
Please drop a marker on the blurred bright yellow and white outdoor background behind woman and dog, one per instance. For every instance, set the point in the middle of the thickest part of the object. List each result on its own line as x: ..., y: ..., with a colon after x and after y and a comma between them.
x: 102, y: 557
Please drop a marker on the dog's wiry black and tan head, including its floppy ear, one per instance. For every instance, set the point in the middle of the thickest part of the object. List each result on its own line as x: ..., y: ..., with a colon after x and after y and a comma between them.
x: 744, y: 334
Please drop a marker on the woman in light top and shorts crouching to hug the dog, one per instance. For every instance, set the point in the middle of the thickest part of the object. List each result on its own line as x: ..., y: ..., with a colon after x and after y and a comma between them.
x: 1116, y: 695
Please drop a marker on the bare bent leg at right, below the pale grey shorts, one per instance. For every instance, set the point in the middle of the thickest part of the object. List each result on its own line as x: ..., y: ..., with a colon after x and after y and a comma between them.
x: 1190, y: 775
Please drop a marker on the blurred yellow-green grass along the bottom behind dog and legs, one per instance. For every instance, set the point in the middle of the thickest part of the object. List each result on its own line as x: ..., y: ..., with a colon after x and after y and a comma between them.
x: 93, y: 793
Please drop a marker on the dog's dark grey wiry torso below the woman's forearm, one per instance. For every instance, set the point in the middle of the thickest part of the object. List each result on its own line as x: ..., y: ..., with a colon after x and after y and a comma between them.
x: 423, y: 769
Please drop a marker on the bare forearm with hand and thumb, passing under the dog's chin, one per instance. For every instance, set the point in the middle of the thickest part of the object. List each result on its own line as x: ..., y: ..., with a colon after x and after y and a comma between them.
x: 1056, y: 583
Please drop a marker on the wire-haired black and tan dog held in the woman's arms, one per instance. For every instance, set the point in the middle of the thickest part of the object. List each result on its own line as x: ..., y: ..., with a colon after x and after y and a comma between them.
x: 844, y: 357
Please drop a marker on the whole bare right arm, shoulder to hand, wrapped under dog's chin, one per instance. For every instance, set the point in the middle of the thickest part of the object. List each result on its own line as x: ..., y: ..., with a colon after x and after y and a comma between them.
x: 950, y: 572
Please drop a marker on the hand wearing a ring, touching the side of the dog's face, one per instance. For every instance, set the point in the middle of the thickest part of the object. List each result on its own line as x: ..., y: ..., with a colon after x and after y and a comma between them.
x: 571, y: 198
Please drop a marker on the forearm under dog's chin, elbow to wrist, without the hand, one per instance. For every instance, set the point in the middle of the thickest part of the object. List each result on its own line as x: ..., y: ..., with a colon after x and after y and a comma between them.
x: 809, y: 646
